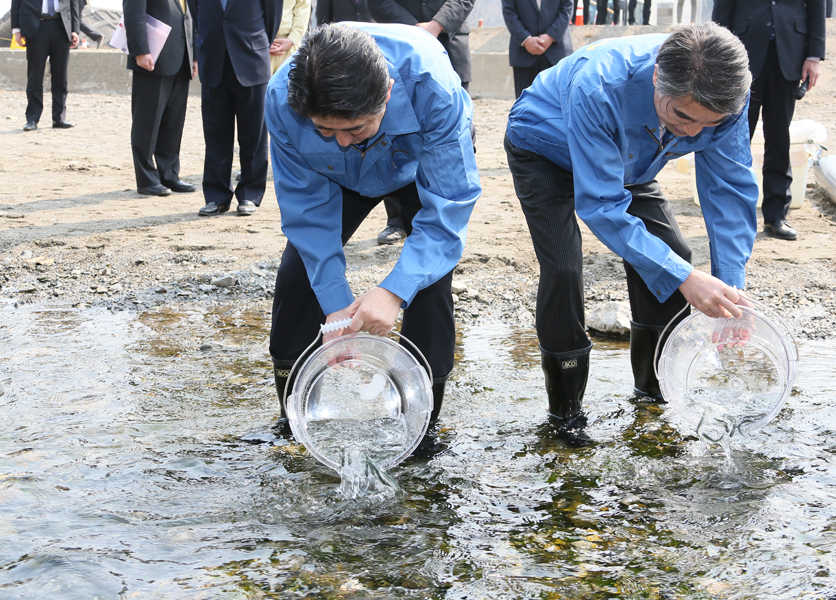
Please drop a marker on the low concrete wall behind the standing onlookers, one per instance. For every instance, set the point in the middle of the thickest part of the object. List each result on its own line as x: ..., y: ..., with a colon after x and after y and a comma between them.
x: 103, y: 71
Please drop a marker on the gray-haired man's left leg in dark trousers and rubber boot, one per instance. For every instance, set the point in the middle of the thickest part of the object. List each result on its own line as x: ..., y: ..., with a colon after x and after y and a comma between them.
x: 545, y: 192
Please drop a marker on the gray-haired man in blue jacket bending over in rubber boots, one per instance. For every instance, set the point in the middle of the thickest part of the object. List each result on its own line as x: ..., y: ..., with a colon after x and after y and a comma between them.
x: 590, y: 135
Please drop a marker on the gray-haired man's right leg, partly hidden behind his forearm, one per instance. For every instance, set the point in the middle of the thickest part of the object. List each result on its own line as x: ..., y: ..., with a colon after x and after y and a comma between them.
x: 649, y: 315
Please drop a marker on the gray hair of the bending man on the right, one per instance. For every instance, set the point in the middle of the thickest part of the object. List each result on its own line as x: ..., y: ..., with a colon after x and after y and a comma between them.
x: 706, y: 62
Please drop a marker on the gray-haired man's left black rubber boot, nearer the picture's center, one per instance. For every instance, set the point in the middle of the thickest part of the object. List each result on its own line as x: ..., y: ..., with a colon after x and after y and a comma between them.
x: 566, y: 375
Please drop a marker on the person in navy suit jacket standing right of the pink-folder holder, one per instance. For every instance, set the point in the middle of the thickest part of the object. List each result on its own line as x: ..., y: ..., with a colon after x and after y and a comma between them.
x: 233, y: 41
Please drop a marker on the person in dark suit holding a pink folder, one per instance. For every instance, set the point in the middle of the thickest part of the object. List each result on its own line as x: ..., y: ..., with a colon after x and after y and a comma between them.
x: 159, y: 92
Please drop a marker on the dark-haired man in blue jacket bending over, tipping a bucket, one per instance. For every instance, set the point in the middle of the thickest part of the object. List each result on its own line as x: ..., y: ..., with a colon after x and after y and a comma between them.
x: 364, y: 111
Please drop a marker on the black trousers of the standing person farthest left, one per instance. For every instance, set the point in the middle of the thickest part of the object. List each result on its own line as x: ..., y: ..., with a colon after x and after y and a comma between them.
x: 50, y: 42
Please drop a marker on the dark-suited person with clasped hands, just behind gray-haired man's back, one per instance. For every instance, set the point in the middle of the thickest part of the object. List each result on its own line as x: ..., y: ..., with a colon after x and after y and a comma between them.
x: 539, y: 36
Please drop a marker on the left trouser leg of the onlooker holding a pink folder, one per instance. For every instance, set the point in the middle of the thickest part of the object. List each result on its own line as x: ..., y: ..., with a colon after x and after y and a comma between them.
x: 147, y: 105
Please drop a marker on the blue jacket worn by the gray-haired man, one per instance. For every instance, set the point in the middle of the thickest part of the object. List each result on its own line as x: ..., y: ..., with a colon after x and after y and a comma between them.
x: 593, y: 114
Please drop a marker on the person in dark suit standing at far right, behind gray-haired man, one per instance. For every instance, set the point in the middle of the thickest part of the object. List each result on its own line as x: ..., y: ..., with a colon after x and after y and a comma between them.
x: 785, y: 42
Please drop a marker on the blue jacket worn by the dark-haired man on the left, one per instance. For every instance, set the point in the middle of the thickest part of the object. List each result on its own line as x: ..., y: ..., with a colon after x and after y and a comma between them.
x: 424, y: 138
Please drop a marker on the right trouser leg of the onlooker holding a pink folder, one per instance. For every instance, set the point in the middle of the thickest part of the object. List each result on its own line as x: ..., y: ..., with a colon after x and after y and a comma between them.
x: 167, y: 151
